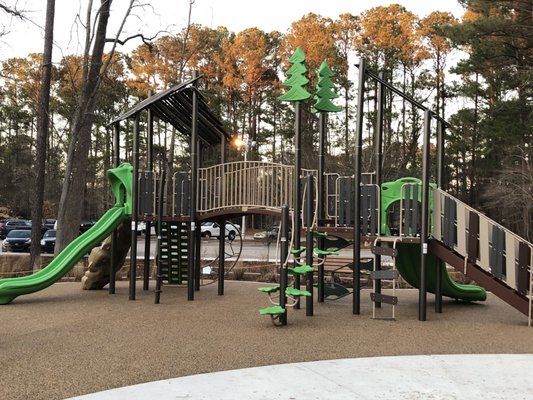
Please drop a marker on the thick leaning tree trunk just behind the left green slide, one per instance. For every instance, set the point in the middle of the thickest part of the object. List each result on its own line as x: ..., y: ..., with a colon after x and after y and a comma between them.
x: 72, y: 194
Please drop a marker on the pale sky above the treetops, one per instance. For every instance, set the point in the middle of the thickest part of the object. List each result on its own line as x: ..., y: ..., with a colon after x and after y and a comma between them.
x: 171, y: 16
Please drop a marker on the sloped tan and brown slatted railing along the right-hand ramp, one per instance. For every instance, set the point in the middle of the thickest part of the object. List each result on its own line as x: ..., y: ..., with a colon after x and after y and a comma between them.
x: 507, y: 256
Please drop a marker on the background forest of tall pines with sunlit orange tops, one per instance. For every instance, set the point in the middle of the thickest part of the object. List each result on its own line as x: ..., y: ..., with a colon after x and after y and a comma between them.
x: 474, y: 72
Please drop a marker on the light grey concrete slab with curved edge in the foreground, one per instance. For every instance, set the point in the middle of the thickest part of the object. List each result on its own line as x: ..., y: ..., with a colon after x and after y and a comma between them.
x: 483, y: 377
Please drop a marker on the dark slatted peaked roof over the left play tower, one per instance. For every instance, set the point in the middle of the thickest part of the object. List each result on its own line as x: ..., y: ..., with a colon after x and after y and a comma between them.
x: 174, y: 106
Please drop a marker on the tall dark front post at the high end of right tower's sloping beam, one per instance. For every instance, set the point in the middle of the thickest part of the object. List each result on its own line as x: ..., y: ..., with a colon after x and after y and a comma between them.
x: 357, y: 190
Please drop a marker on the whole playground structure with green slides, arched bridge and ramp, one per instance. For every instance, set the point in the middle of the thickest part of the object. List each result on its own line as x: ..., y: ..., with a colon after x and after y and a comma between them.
x: 417, y: 224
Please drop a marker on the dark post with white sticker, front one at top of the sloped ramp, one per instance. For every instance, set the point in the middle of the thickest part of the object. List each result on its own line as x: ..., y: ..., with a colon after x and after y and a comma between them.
x: 422, y: 302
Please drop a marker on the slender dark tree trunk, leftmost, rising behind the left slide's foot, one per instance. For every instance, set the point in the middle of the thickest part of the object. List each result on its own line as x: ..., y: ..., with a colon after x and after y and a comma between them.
x: 42, y: 135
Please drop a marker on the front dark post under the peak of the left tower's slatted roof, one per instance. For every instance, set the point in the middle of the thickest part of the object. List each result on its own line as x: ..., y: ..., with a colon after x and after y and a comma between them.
x: 193, y: 193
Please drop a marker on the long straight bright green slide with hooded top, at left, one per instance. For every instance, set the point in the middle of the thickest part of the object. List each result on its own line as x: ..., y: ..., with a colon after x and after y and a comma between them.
x: 120, y: 178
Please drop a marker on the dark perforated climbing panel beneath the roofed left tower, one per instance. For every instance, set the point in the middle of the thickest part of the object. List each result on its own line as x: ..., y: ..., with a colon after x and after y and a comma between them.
x: 173, y: 252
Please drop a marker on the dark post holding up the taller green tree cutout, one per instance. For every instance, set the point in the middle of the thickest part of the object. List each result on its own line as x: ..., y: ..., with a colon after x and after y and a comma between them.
x: 297, y: 187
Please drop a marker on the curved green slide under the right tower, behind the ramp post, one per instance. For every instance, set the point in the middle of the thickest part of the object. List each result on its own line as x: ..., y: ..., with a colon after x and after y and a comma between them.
x: 408, y: 265
